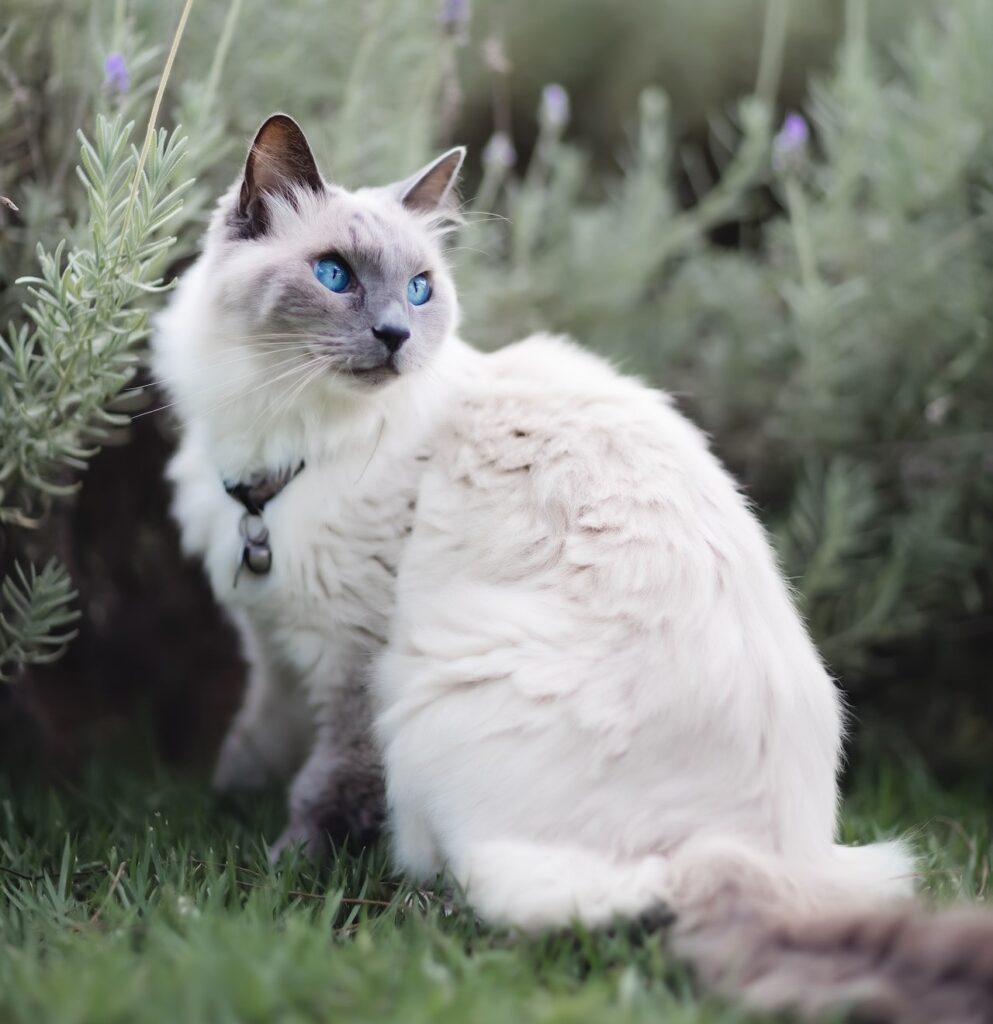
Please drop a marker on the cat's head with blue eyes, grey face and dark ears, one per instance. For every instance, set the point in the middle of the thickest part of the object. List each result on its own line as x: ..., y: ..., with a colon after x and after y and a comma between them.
x: 350, y: 286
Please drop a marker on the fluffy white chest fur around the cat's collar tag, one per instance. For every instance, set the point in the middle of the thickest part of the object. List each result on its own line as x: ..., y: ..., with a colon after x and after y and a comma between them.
x: 336, y: 532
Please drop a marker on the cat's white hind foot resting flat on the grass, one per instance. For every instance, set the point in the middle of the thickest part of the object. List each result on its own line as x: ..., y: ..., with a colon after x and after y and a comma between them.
x: 536, y: 886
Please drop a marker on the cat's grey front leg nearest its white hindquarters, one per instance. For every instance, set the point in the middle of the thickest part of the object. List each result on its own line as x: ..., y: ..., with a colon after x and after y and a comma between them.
x: 339, y: 791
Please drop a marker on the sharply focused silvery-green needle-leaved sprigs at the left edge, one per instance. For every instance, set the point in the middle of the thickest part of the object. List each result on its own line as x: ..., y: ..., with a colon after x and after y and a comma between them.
x: 65, y: 365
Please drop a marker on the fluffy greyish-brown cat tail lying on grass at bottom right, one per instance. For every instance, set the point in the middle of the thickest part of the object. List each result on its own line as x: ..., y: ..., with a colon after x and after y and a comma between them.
x: 813, y: 941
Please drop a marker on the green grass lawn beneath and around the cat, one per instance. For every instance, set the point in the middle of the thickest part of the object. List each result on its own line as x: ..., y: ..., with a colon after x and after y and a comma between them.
x: 138, y: 899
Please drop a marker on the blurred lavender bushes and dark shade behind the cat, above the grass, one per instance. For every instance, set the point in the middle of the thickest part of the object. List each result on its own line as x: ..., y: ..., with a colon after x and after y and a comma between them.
x: 780, y: 210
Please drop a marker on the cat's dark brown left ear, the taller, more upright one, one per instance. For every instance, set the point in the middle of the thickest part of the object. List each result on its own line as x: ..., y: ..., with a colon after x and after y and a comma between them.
x: 279, y: 161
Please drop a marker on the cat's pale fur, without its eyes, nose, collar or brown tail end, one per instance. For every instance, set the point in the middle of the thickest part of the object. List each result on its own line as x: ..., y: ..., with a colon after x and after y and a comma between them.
x: 591, y: 691
